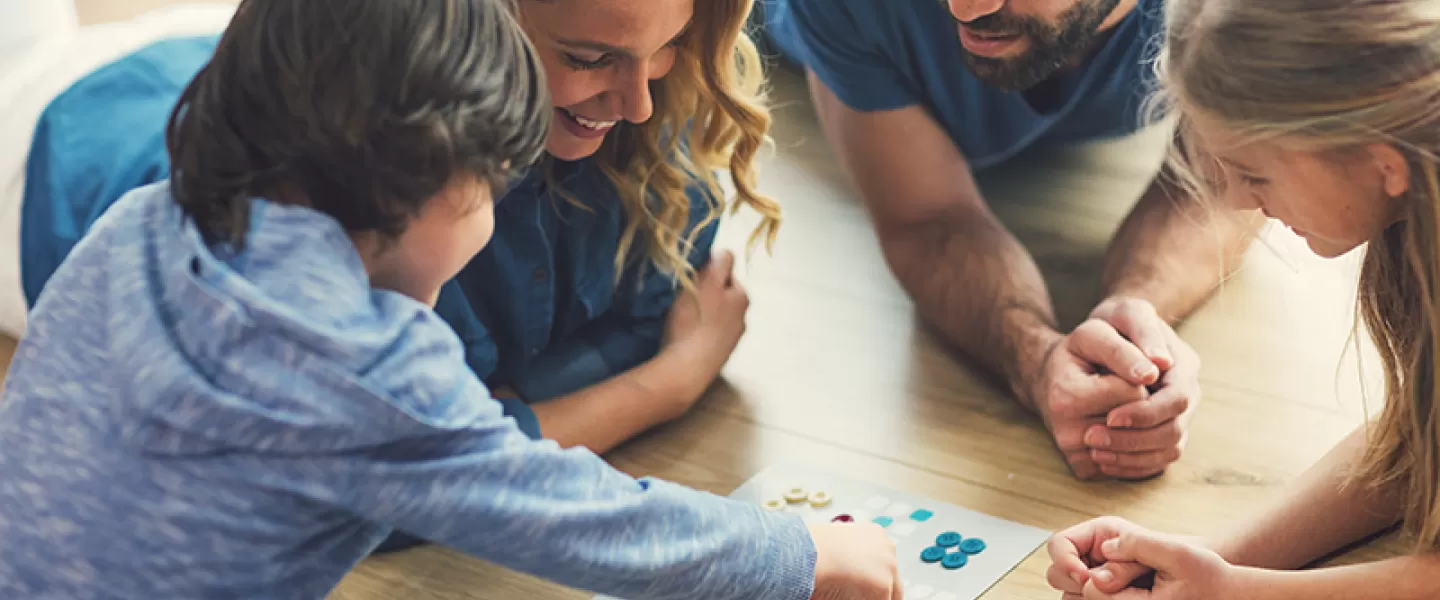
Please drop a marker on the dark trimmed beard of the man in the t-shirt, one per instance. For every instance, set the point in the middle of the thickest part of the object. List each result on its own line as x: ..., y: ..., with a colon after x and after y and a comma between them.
x: 1052, y: 47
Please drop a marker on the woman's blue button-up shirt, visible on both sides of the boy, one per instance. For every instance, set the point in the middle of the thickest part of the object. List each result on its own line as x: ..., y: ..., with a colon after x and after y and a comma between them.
x: 539, y: 310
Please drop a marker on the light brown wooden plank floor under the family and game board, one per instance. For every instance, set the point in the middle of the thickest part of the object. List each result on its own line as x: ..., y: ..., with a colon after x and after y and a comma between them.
x: 834, y: 369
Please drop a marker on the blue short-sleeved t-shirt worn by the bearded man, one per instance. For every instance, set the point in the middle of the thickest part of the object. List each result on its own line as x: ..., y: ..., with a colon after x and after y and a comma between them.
x: 881, y: 55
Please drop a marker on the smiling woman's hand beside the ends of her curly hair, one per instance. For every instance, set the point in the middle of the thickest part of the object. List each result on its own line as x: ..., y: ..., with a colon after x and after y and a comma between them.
x: 706, y: 324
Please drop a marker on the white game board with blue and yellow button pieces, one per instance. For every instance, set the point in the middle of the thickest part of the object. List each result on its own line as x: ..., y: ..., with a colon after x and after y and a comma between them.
x: 914, y: 523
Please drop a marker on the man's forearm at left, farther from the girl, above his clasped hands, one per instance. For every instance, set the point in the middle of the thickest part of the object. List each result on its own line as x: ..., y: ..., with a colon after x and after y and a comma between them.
x: 974, y: 283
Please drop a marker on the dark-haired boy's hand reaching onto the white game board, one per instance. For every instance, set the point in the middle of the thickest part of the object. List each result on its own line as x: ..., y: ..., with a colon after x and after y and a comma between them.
x: 855, y: 562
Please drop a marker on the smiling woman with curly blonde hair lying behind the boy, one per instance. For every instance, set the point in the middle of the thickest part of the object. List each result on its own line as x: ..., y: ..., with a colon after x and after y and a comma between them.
x: 571, y: 314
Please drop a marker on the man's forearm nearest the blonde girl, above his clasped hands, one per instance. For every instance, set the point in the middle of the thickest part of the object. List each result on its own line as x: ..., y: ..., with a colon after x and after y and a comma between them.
x: 1174, y: 251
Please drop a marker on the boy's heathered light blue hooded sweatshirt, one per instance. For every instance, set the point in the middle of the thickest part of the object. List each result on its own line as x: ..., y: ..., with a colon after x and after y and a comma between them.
x: 188, y: 422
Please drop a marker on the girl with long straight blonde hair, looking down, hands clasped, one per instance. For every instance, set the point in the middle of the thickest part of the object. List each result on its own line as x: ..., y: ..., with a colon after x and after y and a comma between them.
x: 1326, y: 116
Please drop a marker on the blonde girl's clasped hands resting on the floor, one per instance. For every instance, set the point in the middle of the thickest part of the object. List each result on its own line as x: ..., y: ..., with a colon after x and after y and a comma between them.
x: 1102, y: 559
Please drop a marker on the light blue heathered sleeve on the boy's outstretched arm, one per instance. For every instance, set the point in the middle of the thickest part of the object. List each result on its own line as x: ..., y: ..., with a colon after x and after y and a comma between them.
x: 474, y: 483
